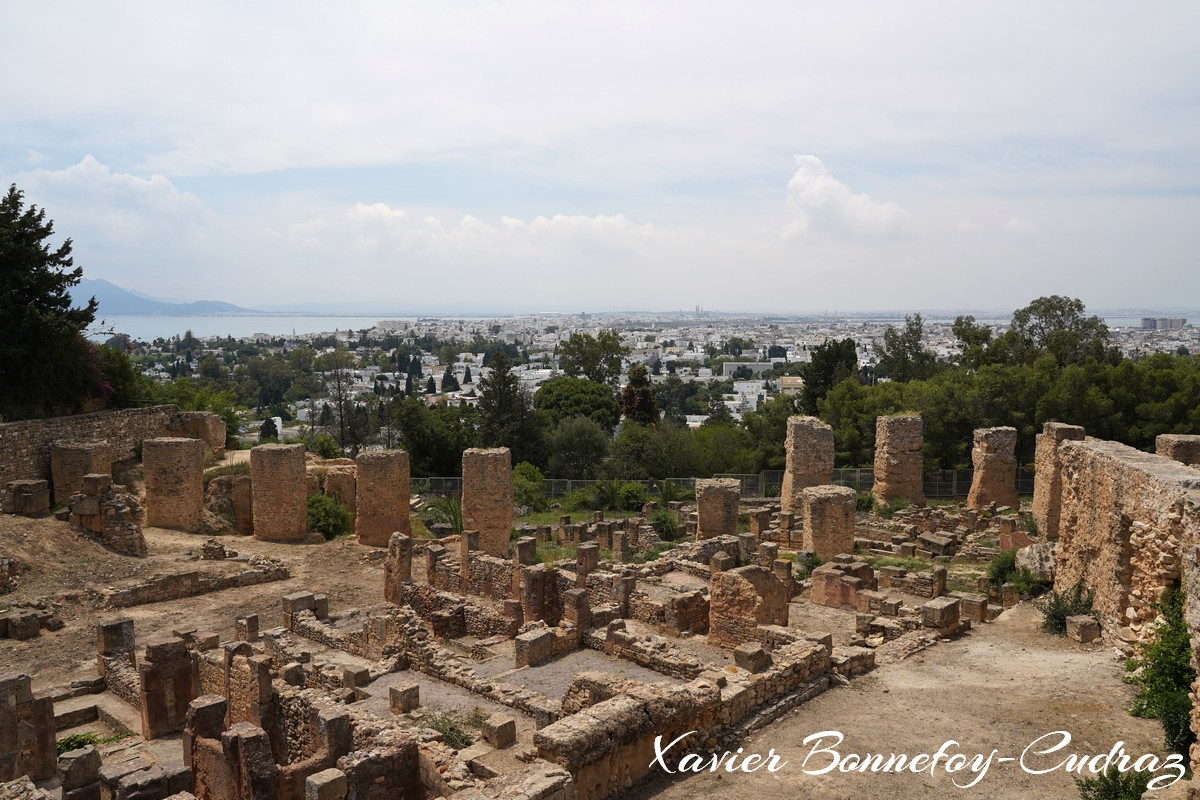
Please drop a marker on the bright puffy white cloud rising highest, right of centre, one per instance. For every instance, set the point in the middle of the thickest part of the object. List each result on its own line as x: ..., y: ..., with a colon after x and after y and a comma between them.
x: 824, y: 204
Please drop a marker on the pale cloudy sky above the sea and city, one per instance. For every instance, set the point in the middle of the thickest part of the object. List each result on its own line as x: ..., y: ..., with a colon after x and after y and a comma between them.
x: 511, y: 158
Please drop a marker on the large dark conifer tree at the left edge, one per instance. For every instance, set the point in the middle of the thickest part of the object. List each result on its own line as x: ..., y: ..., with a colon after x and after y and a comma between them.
x: 46, y: 362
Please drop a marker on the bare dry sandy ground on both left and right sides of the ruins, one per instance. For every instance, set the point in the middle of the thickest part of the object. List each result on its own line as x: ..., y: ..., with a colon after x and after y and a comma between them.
x: 1000, y: 688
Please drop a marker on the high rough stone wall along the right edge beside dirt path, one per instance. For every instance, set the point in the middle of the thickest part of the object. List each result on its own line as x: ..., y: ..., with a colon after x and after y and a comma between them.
x: 1126, y: 515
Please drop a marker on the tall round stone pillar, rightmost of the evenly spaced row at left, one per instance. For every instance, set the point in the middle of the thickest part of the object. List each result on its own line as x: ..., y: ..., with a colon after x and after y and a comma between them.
x: 488, y: 497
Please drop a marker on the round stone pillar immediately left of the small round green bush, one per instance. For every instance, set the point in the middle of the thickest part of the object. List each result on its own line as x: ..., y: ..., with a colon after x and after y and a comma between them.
x: 279, y: 494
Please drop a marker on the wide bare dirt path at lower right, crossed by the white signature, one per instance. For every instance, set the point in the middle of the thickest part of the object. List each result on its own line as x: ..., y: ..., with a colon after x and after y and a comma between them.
x: 1003, y: 687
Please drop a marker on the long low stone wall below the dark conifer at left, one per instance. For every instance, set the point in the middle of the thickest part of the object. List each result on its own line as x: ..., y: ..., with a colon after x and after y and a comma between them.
x: 26, y: 447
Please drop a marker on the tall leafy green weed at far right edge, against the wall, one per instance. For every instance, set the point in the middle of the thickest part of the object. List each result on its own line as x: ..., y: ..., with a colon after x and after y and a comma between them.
x: 1163, y: 675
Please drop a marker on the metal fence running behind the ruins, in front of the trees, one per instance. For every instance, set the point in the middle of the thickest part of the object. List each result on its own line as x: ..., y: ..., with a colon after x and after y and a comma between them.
x: 941, y: 484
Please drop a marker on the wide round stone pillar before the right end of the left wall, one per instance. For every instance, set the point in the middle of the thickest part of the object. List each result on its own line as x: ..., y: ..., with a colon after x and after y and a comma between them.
x: 175, y: 480
